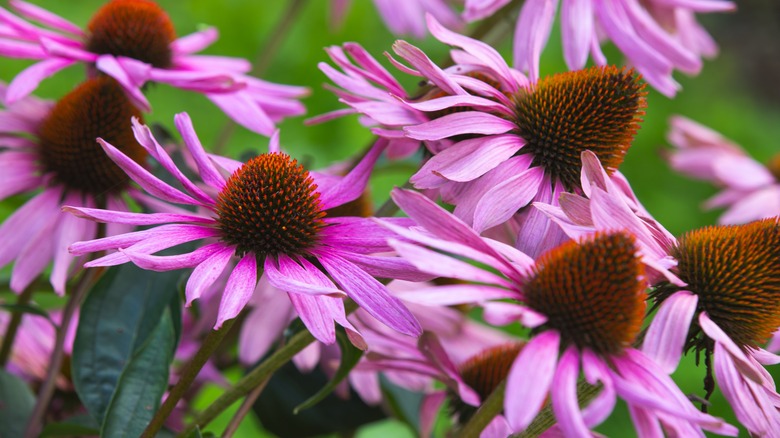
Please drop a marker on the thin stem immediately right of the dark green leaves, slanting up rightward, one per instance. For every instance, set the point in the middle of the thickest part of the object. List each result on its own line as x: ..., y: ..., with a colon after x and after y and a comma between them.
x: 188, y: 376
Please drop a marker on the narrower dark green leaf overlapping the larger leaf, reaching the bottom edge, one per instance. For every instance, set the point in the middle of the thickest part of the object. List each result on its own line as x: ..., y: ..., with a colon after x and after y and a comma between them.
x: 142, y: 384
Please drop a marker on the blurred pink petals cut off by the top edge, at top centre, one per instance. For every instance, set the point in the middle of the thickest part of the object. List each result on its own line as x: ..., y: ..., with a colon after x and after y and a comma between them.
x: 405, y: 17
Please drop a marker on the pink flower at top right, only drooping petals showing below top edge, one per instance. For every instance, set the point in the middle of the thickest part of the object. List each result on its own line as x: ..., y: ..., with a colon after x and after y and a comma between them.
x: 656, y: 36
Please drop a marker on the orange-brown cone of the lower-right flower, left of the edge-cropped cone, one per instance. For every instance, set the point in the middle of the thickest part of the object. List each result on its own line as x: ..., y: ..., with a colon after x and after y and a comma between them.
x: 591, y: 292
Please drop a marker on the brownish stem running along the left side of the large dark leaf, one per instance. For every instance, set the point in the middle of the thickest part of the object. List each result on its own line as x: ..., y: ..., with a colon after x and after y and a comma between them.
x: 85, y: 283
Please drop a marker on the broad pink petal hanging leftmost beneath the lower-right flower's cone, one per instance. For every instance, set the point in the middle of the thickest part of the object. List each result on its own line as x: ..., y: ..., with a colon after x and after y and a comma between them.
x: 530, y: 378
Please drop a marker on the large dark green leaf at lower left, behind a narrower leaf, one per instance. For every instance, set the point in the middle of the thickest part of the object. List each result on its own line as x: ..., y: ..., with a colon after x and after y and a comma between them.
x: 117, y: 317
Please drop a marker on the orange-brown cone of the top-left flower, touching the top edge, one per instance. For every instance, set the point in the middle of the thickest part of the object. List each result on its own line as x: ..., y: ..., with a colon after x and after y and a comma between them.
x: 137, y: 29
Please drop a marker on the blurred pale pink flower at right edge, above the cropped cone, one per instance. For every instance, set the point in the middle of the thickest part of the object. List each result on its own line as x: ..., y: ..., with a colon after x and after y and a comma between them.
x: 751, y: 190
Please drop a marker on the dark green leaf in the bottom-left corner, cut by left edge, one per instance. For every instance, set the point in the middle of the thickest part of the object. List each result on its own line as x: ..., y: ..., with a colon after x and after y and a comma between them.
x: 16, y: 405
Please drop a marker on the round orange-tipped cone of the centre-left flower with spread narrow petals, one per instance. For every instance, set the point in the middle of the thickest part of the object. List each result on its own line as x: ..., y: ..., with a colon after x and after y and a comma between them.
x: 270, y: 206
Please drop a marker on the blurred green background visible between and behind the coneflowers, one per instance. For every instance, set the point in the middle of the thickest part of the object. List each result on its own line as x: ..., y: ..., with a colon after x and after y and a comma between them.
x: 737, y: 94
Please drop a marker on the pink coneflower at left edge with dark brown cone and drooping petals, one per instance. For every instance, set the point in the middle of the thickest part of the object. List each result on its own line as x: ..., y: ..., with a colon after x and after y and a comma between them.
x: 52, y: 147
